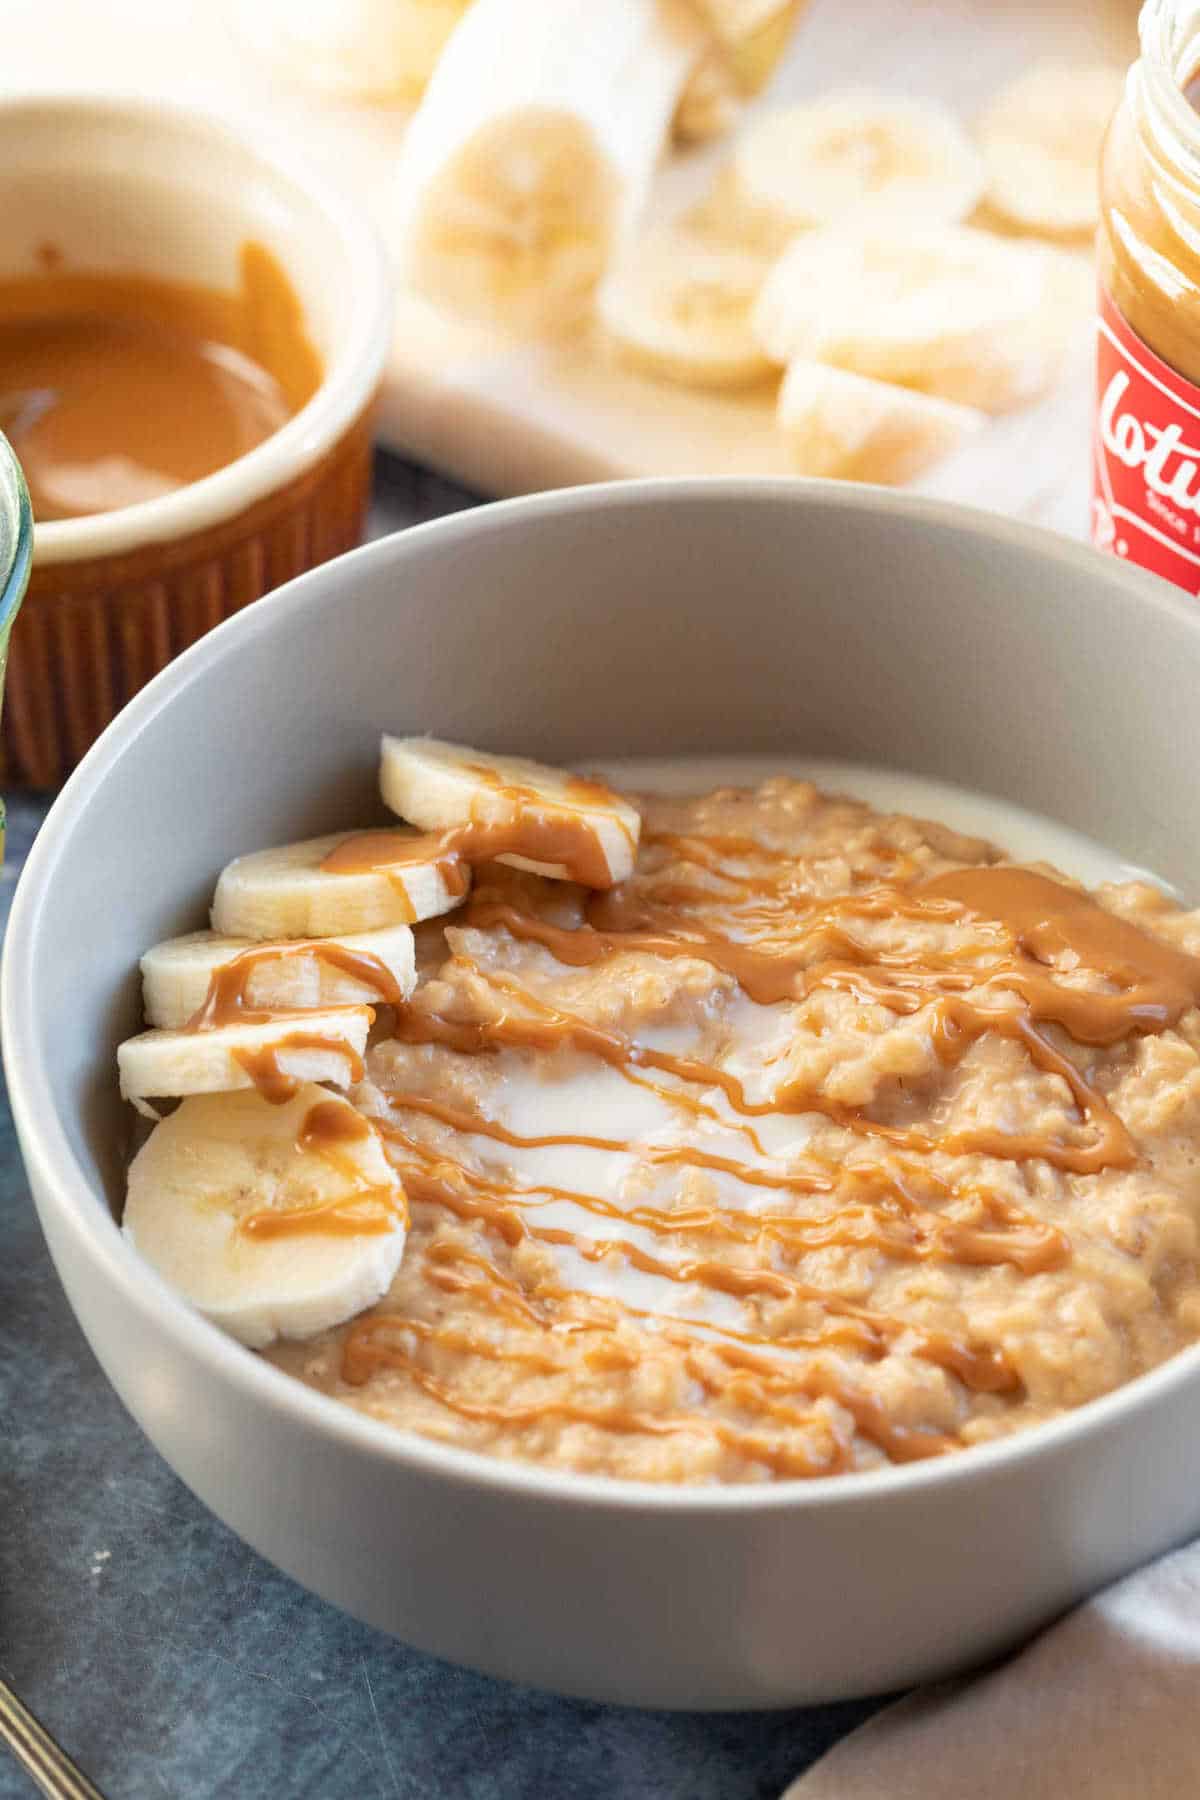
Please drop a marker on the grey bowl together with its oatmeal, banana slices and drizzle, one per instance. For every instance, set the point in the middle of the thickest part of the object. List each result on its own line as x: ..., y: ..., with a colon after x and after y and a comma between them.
x: 668, y: 643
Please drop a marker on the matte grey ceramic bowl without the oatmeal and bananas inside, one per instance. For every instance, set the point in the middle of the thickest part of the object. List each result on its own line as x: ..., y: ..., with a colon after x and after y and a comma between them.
x: 625, y: 620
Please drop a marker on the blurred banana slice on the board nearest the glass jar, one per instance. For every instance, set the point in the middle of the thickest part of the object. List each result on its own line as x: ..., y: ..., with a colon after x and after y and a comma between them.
x: 1043, y: 139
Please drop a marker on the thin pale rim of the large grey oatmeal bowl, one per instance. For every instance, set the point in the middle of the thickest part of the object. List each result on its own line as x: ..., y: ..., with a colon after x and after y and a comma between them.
x: 64, y: 1187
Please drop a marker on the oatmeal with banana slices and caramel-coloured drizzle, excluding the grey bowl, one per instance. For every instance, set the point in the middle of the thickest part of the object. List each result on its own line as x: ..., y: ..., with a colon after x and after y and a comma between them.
x: 731, y: 1137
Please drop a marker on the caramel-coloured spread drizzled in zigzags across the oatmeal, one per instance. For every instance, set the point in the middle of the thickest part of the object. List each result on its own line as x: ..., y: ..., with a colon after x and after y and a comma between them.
x: 1044, y: 966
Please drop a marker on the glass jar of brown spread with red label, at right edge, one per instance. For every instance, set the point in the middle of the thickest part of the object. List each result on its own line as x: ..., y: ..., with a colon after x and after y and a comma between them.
x: 1147, y: 442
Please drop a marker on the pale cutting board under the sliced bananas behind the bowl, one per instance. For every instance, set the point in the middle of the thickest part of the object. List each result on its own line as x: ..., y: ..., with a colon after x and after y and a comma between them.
x: 508, y: 418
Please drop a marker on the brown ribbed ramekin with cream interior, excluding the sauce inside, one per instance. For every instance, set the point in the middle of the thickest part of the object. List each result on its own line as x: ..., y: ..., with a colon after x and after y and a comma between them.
x: 143, y: 186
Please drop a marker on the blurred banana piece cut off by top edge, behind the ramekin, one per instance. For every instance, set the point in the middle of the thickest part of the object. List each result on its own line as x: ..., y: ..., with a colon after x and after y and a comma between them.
x: 364, y: 49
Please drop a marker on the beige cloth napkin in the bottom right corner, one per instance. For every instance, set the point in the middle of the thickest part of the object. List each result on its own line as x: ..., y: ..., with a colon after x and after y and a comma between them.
x: 1106, y: 1705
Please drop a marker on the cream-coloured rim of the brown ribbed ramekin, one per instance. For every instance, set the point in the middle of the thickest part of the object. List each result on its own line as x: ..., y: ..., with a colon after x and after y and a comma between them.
x: 352, y: 372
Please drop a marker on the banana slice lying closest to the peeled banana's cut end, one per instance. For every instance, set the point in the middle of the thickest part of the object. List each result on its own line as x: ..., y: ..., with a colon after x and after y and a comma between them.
x: 679, y: 309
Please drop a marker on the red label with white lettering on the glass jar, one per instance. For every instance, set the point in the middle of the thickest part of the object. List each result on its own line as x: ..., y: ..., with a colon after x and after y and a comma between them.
x: 1145, y: 456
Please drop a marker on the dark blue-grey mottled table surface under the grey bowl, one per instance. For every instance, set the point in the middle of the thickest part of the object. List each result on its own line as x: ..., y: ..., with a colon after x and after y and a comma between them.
x: 172, y: 1660
